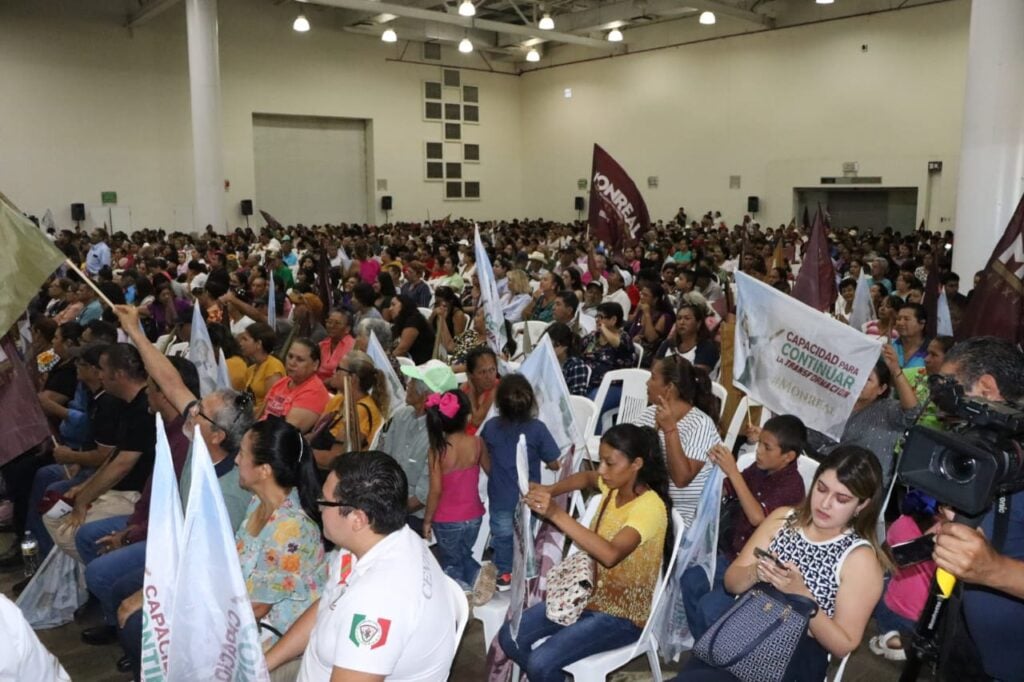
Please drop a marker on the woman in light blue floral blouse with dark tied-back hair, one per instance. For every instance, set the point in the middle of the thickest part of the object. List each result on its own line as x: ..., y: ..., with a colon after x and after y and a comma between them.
x: 280, y: 543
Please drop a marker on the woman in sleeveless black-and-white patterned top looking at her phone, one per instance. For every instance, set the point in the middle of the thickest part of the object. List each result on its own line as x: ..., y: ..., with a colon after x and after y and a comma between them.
x: 832, y: 555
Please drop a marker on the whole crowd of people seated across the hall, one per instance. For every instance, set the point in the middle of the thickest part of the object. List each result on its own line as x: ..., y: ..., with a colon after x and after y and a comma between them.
x: 308, y: 393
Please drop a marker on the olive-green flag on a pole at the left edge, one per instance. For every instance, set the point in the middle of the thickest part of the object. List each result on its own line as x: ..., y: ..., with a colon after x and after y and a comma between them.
x: 27, y: 259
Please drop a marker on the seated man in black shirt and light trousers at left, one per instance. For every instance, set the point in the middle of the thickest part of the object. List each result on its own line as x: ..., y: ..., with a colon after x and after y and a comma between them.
x: 116, y: 486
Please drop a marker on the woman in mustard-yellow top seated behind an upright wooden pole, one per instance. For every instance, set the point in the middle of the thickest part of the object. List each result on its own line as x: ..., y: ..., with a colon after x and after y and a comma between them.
x: 368, y: 387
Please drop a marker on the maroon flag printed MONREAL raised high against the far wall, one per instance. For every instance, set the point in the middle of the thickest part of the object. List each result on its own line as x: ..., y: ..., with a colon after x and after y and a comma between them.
x: 618, y: 211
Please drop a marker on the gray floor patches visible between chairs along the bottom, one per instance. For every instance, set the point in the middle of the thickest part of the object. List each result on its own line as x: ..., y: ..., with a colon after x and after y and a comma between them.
x: 97, y: 664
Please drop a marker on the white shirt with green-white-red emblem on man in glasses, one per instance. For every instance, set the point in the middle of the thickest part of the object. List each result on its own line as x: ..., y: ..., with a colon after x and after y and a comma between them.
x: 388, y: 614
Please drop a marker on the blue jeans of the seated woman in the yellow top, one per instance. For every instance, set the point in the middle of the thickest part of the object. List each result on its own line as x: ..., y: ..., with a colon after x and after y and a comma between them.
x: 593, y: 633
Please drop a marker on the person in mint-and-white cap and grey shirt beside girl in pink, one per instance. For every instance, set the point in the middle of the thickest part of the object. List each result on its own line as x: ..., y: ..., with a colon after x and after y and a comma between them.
x: 405, y: 436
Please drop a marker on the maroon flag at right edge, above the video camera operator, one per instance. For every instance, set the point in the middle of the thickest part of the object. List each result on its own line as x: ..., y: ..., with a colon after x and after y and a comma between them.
x: 997, y: 307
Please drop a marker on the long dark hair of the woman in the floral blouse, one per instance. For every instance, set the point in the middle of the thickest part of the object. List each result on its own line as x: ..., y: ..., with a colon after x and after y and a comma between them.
x: 281, y: 446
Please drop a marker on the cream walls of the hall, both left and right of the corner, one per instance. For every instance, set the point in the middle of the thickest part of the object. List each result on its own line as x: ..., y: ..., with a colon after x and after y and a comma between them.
x: 91, y: 107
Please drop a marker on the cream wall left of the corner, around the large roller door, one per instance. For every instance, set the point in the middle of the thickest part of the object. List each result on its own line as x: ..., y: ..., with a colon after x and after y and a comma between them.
x: 90, y: 107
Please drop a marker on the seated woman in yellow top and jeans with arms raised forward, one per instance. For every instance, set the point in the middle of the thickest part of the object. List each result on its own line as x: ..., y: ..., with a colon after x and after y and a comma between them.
x: 630, y: 542
